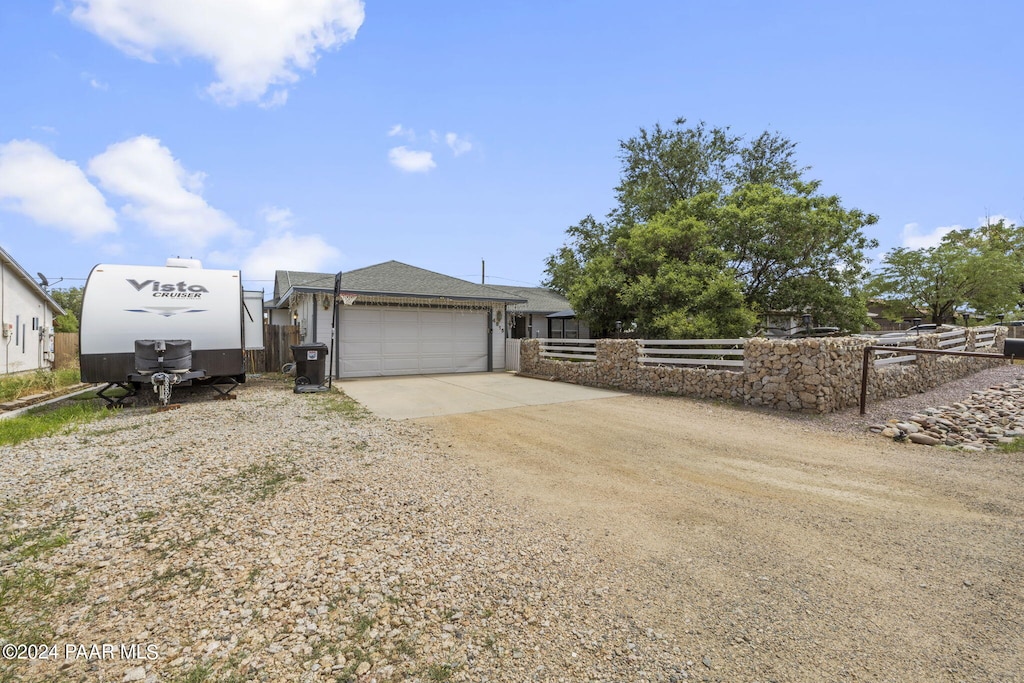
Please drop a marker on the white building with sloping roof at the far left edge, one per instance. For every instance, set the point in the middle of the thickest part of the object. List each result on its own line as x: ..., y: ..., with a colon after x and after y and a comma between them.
x: 27, y: 314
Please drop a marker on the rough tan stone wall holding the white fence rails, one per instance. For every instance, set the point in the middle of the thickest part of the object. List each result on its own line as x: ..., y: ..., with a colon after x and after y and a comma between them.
x: 818, y: 375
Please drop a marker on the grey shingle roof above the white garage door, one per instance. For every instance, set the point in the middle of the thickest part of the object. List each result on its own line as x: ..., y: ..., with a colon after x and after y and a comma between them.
x: 392, y: 279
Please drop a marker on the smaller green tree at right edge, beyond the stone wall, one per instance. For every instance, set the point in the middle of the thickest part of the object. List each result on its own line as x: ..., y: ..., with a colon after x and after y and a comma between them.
x: 980, y: 270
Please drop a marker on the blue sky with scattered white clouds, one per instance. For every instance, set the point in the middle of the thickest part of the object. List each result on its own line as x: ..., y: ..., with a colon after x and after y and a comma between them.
x: 335, y: 135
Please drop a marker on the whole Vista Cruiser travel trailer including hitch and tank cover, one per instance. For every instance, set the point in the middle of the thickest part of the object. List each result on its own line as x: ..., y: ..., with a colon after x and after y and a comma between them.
x: 165, y: 327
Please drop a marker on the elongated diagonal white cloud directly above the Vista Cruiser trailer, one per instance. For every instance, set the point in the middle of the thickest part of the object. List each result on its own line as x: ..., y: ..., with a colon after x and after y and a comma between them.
x: 160, y: 194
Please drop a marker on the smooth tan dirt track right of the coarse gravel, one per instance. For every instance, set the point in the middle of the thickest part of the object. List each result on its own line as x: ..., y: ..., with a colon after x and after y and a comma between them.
x: 774, y: 549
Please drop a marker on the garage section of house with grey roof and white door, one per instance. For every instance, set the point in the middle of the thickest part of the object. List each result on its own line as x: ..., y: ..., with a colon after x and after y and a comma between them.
x: 395, y: 319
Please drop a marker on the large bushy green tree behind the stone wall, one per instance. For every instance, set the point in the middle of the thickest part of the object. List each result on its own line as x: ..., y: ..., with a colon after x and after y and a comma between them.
x: 782, y: 244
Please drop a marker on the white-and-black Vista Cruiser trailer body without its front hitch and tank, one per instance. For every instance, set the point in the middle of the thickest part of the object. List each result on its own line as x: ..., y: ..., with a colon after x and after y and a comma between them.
x: 125, y: 304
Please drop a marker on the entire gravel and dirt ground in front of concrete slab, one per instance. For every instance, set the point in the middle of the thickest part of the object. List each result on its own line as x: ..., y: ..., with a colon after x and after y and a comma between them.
x: 285, y: 537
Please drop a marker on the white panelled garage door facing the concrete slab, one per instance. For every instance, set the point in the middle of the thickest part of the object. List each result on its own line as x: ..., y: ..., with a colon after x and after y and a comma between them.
x: 408, y: 341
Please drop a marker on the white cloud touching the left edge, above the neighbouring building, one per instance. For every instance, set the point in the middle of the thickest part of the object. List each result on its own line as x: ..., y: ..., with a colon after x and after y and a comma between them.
x: 52, y: 191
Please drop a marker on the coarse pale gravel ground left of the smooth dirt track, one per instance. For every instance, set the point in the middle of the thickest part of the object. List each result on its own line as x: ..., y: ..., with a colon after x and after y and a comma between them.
x: 280, y: 538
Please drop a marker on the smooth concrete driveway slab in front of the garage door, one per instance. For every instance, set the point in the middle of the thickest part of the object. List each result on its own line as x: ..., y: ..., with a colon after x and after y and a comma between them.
x: 421, y: 397
